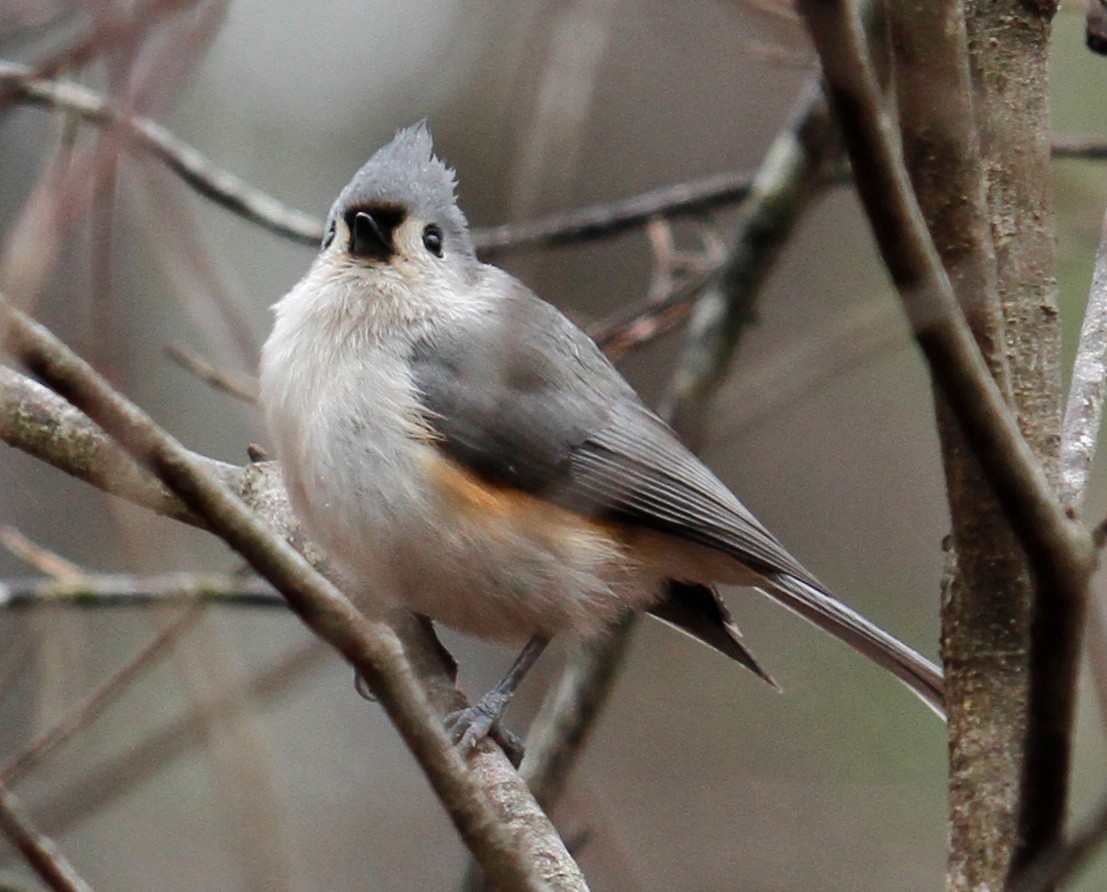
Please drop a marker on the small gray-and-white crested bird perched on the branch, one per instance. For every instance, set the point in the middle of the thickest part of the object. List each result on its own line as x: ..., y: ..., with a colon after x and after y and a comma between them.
x: 461, y: 450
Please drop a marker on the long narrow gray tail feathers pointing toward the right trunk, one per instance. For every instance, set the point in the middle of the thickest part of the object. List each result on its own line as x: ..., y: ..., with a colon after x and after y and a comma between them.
x: 830, y: 615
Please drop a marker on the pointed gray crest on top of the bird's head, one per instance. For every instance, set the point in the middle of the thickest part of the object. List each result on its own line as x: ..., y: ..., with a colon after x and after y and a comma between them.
x: 407, y: 173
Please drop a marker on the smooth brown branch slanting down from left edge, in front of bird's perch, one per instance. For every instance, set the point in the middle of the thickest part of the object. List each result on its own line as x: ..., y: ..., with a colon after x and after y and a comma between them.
x: 374, y: 649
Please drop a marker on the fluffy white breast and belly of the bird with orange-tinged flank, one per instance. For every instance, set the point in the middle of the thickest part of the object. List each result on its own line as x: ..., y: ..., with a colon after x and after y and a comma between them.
x: 368, y: 484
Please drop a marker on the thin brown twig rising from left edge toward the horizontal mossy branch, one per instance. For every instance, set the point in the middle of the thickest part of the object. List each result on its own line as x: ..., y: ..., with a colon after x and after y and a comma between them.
x: 86, y: 712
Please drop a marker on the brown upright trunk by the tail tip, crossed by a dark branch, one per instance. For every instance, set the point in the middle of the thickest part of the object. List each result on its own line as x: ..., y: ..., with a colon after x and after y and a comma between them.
x: 986, y: 610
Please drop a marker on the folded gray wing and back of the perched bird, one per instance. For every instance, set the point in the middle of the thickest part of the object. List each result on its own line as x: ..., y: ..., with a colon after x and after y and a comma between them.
x: 524, y: 399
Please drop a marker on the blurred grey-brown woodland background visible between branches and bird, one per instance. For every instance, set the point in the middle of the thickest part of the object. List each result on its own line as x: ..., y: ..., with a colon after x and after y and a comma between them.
x: 245, y: 760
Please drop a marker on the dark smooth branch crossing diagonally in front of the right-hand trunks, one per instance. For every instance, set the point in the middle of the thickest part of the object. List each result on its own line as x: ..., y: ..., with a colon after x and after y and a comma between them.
x: 1060, y: 552
